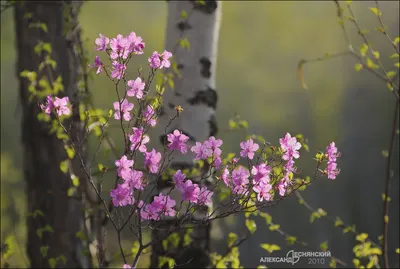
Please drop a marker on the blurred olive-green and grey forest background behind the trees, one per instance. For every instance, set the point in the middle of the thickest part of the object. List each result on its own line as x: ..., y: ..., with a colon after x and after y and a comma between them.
x: 260, y: 46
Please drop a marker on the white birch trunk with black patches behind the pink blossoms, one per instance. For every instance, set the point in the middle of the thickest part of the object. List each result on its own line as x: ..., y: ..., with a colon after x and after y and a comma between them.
x: 195, y: 92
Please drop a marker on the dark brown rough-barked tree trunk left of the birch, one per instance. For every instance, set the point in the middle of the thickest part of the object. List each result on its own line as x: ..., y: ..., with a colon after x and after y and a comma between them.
x: 47, y: 185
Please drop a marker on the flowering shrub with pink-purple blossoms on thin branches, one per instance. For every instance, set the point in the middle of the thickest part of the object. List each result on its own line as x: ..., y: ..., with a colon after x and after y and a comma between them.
x: 260, y: 177
